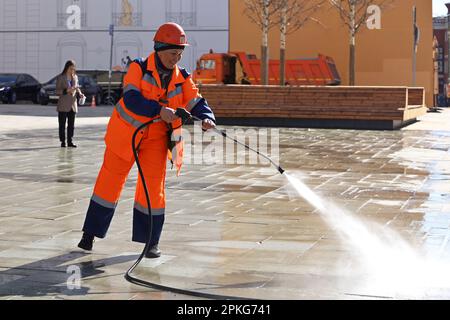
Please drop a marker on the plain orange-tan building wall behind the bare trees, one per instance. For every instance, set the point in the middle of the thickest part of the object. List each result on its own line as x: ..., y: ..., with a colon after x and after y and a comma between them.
x: 384, y: 54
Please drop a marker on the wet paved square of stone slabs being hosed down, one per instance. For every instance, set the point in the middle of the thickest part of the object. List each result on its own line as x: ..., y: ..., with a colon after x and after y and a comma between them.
x: 231, y: 229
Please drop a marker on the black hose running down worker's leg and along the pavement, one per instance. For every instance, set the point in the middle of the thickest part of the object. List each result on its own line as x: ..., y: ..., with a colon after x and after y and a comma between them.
x: 148, y: 284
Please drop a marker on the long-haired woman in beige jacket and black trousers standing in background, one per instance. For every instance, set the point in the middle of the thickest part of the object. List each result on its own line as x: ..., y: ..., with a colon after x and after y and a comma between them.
x: 67, y: 89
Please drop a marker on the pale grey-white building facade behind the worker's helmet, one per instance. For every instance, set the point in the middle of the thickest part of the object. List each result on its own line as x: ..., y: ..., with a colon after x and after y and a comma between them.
x: 38, y: 36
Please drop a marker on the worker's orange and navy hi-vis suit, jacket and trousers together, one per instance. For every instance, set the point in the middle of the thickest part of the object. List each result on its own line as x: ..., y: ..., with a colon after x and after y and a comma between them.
x: 152, y: 144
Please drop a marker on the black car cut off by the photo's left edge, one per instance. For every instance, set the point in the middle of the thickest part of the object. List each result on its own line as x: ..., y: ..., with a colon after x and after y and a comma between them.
x: 19, y: 86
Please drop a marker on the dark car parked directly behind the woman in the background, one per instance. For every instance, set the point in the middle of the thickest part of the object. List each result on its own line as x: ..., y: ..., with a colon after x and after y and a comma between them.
x: 89, y: 88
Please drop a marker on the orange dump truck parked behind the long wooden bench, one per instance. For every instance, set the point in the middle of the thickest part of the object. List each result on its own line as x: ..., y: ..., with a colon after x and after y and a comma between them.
x: 242, y: 68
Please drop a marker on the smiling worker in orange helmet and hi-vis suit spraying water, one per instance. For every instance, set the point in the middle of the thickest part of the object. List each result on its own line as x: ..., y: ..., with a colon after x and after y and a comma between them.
x: 153, y: 90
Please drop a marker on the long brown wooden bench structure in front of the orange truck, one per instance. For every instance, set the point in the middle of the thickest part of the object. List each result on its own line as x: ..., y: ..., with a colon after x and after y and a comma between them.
x: 316, y: 106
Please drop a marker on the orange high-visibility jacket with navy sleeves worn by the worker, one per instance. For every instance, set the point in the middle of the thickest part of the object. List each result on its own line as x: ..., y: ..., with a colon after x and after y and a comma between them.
x: 142, y: 101
